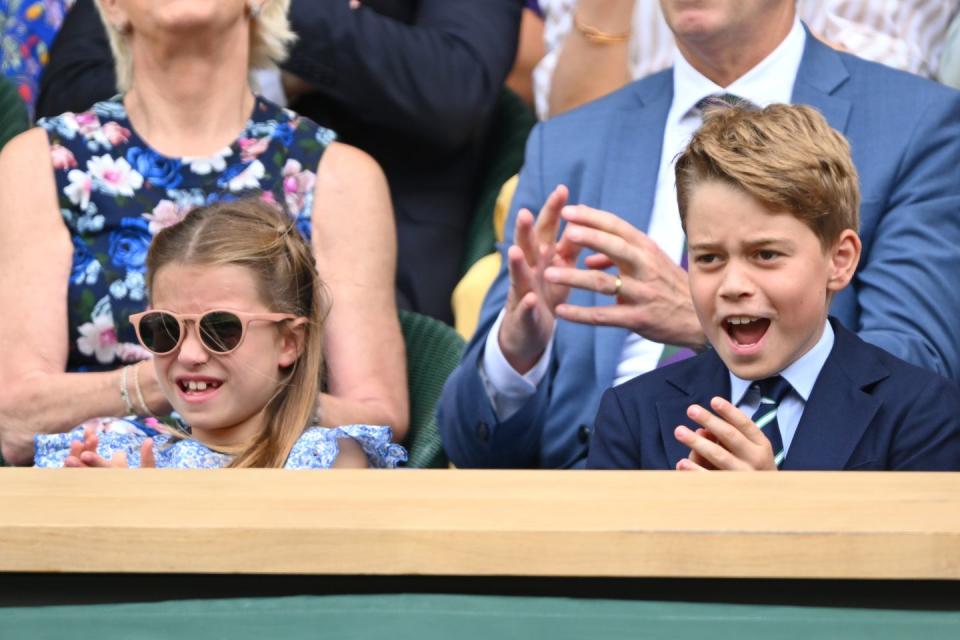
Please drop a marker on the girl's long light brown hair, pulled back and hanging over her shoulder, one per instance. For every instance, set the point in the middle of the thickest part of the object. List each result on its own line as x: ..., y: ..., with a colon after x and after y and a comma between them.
x: 256, y: 235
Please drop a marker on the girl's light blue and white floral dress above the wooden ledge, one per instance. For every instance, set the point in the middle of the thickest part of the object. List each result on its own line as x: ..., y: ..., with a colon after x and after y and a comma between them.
x: 317, y: 448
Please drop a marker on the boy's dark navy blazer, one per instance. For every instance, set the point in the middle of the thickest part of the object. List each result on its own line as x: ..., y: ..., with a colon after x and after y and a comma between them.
x: 868, y: 411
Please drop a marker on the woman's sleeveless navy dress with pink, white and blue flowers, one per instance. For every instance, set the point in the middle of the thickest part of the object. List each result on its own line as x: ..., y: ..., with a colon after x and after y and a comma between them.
x: 115, y: 193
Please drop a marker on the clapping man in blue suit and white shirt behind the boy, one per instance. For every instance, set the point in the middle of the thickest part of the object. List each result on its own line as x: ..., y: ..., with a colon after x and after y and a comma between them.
x: 558, y: 328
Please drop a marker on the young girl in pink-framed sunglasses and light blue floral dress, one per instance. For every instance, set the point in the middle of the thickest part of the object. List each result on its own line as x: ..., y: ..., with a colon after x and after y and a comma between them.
x: 234, y: 325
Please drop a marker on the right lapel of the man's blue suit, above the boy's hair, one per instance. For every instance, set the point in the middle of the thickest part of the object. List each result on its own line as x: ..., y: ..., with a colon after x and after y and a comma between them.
x: 821, y: 73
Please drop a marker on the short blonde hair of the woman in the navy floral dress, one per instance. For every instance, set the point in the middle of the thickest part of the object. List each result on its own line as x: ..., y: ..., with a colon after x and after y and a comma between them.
x: 270, y: 38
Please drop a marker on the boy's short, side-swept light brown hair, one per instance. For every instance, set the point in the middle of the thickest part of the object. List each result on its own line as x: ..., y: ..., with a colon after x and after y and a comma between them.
x: 787, y: 157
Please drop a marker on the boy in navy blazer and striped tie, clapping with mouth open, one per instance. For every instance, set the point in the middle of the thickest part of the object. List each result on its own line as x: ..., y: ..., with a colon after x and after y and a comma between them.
x: 769, y: 202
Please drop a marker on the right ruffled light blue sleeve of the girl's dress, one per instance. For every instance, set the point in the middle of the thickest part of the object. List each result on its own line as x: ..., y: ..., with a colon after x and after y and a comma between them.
x: 317, y: 448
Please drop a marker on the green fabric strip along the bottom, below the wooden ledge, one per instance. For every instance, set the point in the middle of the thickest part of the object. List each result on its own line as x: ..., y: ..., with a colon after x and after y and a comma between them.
x: 424, y: 617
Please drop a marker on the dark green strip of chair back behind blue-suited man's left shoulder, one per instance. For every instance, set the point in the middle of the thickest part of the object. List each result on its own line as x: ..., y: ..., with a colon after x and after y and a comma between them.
x: 512, y: 122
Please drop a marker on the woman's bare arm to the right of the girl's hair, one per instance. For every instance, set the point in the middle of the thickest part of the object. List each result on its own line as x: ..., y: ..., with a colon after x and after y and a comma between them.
x: 356, y: 247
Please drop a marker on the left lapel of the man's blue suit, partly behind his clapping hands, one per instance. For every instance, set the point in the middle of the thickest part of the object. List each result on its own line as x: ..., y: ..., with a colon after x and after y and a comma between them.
x: 629, y: 185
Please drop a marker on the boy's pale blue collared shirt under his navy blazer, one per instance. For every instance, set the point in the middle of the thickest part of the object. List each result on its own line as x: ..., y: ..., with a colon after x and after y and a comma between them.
x: 801, y: 375
